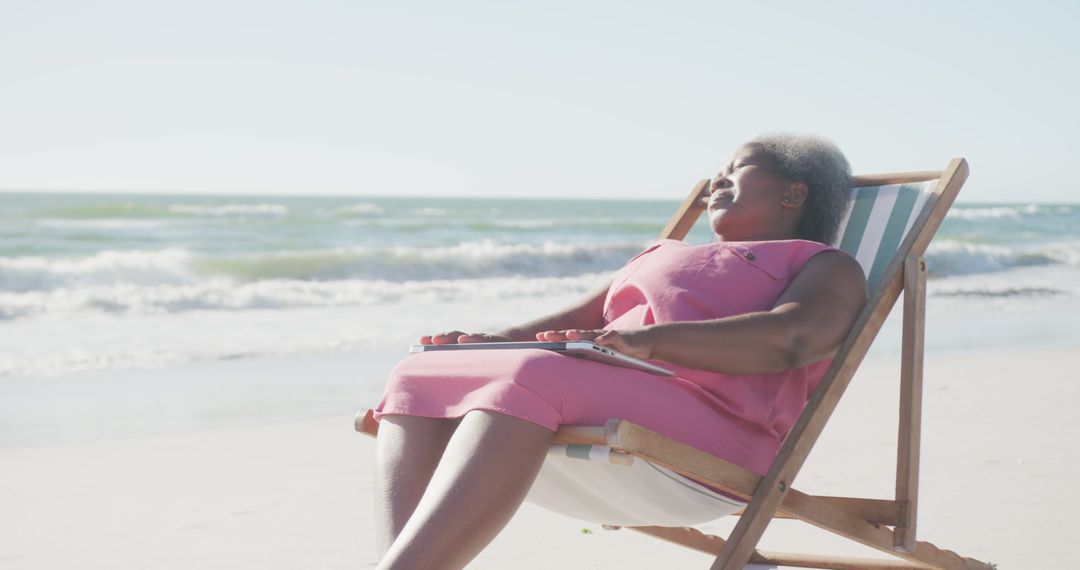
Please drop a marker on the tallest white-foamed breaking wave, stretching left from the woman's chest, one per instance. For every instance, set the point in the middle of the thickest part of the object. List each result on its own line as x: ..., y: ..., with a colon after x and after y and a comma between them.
x: 177, y: 267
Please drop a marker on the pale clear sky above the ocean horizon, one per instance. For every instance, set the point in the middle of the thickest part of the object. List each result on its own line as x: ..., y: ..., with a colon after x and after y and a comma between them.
x: 585, y: 99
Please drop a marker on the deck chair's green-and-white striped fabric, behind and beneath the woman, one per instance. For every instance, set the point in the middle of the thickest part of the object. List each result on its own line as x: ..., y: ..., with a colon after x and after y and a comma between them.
x: 598, y: 484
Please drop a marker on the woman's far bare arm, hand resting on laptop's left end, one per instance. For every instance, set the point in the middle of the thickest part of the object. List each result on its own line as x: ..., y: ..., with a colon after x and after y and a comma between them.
x: 588, y: 314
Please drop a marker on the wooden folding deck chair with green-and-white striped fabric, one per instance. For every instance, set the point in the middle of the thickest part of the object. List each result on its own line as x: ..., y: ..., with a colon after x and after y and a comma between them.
x: 888, y: 226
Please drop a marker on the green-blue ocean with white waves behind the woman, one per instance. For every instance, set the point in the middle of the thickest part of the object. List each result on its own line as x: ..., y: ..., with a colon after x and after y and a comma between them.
x: 101, y: 282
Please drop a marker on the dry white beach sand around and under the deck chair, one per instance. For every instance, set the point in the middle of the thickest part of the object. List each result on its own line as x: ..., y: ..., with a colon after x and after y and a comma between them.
x: 998, y: 469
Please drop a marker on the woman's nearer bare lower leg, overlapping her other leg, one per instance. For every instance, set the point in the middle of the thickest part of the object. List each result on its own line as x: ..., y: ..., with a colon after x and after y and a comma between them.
x: 484, y: 476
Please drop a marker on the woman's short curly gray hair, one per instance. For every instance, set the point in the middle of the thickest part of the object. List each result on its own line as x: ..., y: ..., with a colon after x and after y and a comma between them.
x: 821, y: 166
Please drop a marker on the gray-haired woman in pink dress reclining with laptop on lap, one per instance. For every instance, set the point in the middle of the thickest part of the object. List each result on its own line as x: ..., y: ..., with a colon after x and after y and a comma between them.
x: 749, y: 323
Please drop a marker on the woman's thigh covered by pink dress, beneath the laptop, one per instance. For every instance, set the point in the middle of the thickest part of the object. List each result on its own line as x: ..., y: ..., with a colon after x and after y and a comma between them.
x: 558, y: 390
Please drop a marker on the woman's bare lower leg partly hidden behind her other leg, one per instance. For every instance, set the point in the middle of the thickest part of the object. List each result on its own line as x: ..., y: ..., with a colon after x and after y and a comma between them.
x: 407, y: 454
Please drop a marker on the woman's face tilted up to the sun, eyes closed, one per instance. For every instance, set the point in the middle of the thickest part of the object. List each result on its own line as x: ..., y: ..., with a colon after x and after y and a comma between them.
x: 749, y: 200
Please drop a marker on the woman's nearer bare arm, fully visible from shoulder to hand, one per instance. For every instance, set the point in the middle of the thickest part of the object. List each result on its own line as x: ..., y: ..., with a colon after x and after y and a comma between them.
x: 808, y: 323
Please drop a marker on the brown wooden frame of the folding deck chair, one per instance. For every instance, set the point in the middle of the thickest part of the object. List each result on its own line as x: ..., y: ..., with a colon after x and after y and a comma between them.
x: 863, y: 521
